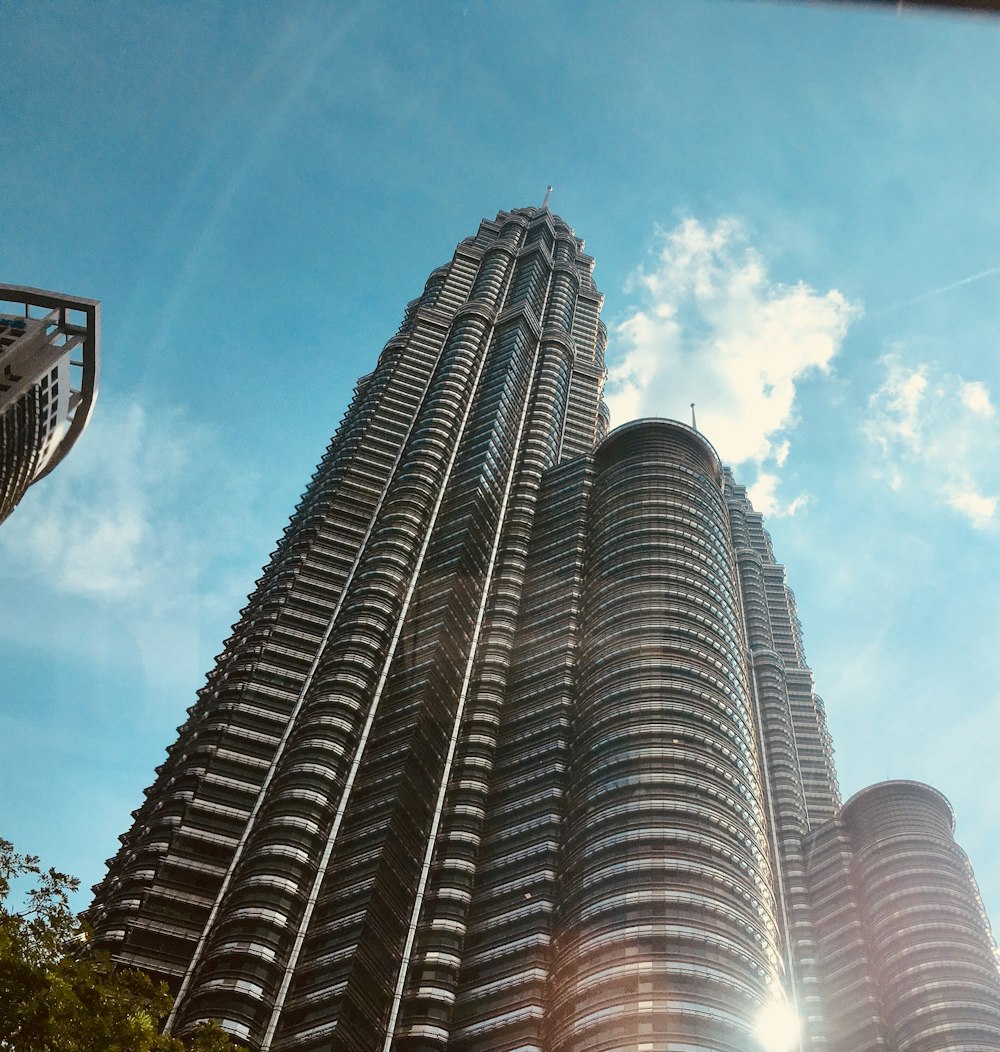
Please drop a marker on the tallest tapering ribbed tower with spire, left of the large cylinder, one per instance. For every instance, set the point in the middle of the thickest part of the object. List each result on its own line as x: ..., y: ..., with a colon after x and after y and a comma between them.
x: 283, y: 875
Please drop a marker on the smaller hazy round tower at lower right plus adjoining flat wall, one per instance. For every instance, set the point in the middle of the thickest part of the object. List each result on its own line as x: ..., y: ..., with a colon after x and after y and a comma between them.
x: 899, y: 905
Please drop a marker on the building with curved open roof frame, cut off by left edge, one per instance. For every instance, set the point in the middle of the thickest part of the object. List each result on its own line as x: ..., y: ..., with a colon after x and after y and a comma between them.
x: 49, y: 376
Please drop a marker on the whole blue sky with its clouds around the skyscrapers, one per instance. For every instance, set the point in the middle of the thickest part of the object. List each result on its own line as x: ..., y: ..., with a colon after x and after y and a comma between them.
x: 795, y: 215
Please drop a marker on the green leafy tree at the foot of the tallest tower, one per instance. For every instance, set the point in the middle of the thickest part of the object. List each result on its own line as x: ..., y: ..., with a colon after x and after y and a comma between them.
x: 57, y: 995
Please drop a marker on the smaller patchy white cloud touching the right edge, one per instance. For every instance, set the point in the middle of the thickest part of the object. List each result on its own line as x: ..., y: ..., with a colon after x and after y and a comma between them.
x: 937, y: 435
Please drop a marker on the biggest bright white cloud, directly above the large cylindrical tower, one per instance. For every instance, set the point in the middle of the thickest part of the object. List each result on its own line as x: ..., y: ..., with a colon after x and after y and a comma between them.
x: 716, y: 330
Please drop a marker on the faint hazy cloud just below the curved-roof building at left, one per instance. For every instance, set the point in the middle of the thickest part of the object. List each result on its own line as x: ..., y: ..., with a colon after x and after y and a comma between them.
x: 133, y: 513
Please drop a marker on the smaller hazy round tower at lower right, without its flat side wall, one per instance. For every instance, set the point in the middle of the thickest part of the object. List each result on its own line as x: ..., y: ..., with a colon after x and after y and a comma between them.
x: 932, y: 947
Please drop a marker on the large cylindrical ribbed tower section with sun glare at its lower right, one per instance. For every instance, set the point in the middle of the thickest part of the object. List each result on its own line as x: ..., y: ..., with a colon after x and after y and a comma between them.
x: 668, y: 935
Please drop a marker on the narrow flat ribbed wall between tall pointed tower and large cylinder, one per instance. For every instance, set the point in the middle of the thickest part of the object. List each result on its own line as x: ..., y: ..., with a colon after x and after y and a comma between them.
x: 506, y: 962
